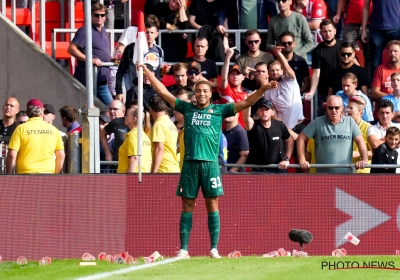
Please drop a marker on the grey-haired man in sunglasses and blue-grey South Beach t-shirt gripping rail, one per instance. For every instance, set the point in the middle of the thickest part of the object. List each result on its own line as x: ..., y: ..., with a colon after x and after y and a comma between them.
x: 333, y: 139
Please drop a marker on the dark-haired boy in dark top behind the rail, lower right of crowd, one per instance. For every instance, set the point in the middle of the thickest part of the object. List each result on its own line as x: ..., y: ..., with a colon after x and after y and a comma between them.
x: 386, y: 152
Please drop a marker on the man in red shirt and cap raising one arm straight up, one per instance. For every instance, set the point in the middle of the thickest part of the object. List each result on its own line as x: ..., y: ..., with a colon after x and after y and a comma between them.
x: 231, y: 84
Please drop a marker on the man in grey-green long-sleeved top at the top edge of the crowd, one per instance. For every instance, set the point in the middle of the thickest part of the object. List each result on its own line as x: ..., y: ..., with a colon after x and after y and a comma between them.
x: 296, y: 23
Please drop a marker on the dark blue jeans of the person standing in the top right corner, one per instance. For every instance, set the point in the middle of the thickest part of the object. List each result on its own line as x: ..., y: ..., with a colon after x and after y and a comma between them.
x: 378, y: 40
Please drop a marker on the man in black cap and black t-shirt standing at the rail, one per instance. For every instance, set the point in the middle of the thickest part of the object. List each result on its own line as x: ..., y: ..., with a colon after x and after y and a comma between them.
x: 269, y: 139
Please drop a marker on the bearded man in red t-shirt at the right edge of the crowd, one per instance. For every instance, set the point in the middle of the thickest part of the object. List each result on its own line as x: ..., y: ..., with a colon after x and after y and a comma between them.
x: 382, y: 82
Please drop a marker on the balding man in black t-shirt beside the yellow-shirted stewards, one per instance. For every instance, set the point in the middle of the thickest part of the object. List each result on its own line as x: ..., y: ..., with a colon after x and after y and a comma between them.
x: 115, y: 126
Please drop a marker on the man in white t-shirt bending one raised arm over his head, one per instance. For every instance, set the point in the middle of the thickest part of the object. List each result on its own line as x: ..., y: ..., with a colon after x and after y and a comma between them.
x: 286, y: 98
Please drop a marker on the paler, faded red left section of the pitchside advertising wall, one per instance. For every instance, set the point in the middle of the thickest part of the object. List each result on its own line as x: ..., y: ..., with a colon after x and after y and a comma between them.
x: 61, y: 216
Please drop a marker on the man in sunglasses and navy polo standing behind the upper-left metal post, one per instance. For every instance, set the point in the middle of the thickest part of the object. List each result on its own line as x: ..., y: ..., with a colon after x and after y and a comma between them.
x: 101, y: 53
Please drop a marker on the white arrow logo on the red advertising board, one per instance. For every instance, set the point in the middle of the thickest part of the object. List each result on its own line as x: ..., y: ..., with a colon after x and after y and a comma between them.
x: 364, y: 216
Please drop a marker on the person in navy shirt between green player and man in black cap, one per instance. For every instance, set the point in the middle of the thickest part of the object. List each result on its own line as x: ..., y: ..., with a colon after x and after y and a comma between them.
x: 238, y: 144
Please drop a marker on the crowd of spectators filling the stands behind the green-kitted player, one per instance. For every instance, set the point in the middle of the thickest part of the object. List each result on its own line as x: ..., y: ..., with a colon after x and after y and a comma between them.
x: 356, y: 94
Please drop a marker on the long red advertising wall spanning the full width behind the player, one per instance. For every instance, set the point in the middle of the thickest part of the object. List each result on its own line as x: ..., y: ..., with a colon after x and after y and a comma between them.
x: 64, y: 216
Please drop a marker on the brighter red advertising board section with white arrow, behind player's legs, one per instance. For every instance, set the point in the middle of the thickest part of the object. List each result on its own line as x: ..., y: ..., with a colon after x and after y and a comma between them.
x: 257, y: 213
